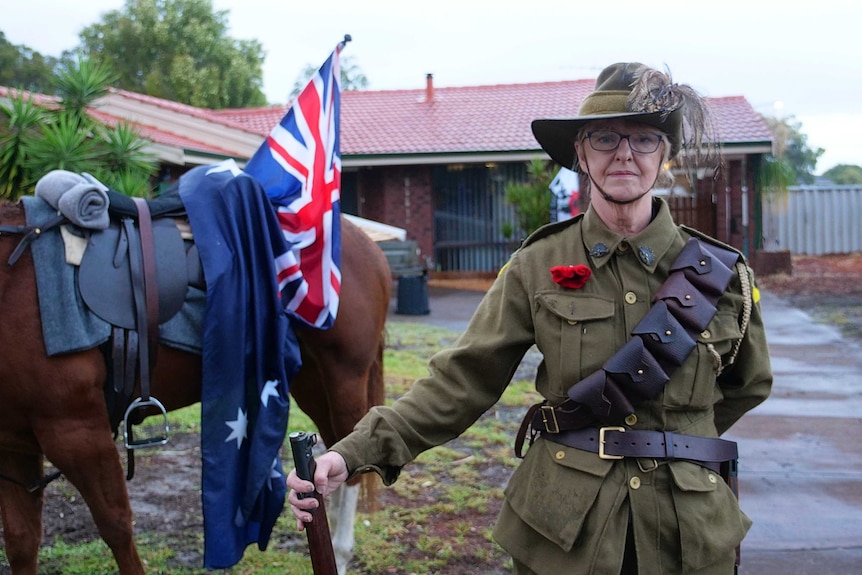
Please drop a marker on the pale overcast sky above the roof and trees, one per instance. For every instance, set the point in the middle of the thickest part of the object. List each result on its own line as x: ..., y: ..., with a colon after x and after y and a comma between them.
x: 802, y: 60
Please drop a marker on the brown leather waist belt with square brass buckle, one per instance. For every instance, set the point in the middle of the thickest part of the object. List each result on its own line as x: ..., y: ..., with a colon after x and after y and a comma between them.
x: 619, y: 442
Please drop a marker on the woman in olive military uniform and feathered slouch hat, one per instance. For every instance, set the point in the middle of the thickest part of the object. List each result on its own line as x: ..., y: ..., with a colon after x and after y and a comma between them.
x: 653, y: 346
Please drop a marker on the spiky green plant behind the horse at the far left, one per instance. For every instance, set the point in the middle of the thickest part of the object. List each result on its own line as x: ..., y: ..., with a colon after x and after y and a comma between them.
x: 35, y: 139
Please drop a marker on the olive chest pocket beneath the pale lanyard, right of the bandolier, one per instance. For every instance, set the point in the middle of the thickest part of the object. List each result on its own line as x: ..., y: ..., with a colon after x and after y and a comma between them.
x: 692, y: 386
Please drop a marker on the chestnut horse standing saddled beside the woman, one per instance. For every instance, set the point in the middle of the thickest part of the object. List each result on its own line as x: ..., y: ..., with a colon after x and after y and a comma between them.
x: 54, y: 407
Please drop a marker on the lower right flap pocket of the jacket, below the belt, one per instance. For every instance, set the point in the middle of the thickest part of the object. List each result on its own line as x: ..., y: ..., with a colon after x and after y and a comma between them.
x: 708, y: 514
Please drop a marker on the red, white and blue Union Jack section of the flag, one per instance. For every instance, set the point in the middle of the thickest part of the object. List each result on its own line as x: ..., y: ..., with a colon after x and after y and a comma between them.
x: 299, y: 166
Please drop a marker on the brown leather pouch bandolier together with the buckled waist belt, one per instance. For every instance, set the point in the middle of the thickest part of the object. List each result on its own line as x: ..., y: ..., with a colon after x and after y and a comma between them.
x: 682, y: 309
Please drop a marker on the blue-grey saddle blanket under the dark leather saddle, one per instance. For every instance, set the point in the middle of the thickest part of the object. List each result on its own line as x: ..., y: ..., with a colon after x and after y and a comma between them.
x: 68, y: 326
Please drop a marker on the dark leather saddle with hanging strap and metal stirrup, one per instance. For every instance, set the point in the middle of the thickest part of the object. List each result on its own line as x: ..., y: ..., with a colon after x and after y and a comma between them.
x: 135, y: 275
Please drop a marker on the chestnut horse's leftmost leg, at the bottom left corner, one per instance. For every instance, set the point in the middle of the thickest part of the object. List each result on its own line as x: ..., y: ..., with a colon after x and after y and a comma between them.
x: 21, y: 510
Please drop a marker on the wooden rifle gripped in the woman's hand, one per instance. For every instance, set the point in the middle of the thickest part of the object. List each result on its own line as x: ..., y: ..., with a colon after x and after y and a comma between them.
x: 319, y: 538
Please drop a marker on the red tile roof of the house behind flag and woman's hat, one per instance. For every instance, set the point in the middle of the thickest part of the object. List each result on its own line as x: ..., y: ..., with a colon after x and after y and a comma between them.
x: 492, y: 118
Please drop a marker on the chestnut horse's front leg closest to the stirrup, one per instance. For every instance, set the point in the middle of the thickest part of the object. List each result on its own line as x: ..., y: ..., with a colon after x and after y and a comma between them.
x: 77, y: 439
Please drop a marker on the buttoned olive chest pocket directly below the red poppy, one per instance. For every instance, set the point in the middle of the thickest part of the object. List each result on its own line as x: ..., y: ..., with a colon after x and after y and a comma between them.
x: 573, y: 332
